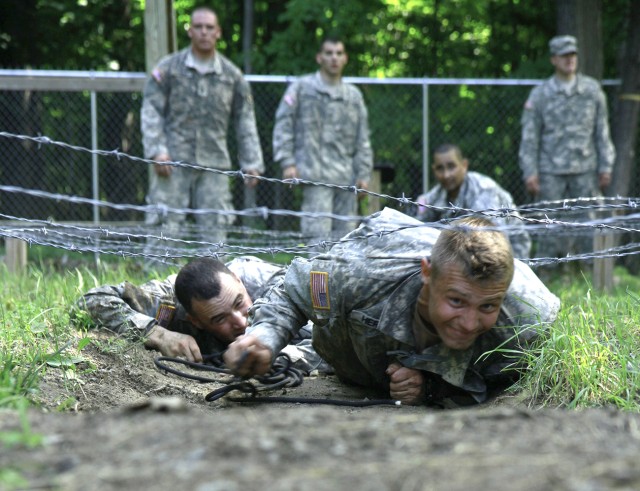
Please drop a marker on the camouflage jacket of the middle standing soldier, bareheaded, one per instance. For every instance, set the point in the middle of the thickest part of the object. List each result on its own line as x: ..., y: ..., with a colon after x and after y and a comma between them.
x: 324, y: 132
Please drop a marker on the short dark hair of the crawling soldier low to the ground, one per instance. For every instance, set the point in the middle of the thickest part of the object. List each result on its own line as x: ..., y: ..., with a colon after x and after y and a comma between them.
x: 199, y: 280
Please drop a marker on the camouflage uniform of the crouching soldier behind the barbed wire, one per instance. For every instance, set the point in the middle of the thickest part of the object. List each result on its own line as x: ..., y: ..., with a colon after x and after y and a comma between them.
x: 478, y: 192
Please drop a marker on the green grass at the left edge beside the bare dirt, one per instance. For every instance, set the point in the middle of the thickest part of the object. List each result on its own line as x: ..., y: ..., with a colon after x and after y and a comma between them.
x: 36, y: 326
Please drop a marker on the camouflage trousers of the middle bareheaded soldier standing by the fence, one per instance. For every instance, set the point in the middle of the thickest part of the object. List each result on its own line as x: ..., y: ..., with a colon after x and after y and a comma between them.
x: 319, y: 199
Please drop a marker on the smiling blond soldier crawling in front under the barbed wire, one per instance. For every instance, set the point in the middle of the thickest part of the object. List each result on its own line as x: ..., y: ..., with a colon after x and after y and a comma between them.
x: 401, y: 306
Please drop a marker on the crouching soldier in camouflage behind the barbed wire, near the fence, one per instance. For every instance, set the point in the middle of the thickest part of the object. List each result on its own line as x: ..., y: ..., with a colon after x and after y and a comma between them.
x: 470, y: 190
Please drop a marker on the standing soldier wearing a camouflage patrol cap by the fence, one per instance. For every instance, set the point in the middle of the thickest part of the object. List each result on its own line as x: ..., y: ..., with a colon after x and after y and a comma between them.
x: 566, y: 150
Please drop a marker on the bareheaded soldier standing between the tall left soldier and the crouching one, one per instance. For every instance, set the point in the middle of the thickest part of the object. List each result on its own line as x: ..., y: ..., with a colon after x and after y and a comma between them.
x: 321, y: 134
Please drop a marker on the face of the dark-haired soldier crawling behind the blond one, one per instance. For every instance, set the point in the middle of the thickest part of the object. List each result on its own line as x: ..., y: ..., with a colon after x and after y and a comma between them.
x: 225, y: 315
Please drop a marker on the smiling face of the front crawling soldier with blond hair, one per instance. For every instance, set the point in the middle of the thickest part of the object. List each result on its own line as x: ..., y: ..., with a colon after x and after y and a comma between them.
x: 459, y: 309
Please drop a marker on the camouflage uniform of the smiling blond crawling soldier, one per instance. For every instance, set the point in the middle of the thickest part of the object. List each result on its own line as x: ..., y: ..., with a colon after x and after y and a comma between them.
x: 361, y: 297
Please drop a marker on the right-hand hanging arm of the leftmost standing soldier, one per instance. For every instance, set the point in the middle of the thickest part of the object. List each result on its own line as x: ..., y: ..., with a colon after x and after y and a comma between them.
x: 249, y: 149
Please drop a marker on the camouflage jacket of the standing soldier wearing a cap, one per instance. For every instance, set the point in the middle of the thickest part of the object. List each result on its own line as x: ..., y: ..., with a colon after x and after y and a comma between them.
x: 566, y: 133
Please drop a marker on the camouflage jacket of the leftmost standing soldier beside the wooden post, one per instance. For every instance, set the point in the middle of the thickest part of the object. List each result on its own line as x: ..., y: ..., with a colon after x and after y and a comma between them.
x: 187, y: 114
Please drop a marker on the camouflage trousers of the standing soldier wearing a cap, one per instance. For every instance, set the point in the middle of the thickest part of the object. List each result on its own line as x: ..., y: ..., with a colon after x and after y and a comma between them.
x: 566, y: 240
